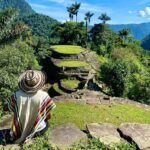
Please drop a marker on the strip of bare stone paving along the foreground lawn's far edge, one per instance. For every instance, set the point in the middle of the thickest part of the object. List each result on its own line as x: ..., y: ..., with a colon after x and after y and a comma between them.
x: 93, y: 97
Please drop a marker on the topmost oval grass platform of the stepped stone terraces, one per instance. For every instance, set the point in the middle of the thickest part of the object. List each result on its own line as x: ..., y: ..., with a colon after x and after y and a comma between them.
x: 67, y: 49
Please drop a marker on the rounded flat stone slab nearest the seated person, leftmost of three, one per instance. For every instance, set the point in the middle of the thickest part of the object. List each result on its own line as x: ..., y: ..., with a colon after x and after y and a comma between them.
x: 66, y: 135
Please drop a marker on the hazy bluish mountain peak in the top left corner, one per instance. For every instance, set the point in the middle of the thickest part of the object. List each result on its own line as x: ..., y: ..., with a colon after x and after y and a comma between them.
x: 23, y: 7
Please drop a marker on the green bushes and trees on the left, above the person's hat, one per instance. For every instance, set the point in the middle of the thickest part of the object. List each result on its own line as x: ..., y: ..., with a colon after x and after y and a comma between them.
x: 15, y: 54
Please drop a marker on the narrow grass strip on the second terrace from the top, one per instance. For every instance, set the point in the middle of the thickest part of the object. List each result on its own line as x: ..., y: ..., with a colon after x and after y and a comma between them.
x: 73, y: 64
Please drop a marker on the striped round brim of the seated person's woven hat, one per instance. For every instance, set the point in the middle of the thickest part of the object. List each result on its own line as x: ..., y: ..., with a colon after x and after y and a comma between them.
x: 27, y: 89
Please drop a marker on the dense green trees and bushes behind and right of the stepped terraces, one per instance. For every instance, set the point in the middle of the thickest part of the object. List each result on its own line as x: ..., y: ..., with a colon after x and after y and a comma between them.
x: 124, y: 67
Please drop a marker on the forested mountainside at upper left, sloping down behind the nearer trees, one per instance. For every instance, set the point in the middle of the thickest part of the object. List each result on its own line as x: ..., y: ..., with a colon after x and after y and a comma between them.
x: 40, y: 24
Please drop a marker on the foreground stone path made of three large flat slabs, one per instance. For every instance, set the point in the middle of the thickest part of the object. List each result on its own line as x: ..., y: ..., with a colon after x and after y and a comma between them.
x: 67, y: 135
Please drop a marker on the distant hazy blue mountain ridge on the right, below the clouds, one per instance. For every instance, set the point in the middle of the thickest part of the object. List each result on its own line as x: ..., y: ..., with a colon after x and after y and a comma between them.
x: 139, y: 31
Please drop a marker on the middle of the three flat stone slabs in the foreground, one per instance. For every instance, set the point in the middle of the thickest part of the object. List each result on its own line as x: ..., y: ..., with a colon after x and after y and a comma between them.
x: 107, y: 133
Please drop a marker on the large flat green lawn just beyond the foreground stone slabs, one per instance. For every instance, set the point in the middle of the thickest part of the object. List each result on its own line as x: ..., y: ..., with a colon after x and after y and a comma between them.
x: 81, y: 114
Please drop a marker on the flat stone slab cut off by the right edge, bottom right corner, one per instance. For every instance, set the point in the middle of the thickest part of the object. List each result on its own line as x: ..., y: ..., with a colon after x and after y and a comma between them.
x: 139, y: 133
